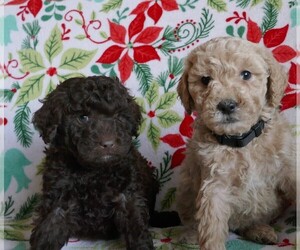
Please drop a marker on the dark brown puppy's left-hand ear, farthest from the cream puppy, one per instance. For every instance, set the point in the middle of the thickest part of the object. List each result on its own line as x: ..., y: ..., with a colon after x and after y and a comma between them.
x: 47, y: 119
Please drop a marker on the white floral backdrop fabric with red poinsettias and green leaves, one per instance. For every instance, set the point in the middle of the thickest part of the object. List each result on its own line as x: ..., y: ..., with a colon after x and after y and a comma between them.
x: 144, y: 43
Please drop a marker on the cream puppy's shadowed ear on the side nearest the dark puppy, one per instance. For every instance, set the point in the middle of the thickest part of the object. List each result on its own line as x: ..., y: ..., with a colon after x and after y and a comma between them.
x: 184, y: 94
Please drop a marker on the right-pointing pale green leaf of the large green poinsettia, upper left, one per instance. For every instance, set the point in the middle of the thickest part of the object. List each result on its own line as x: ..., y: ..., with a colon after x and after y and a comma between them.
x: 74, y: 59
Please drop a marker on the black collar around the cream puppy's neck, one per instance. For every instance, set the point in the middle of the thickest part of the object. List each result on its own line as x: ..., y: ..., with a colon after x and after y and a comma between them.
x: 239, y: 141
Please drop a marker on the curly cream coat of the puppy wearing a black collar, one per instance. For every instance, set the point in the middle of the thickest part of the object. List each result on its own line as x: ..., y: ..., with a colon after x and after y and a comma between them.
x: 223, y: 188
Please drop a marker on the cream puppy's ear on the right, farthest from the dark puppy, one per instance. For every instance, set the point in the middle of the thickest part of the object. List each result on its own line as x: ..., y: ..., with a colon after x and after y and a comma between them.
x: 277, y: 81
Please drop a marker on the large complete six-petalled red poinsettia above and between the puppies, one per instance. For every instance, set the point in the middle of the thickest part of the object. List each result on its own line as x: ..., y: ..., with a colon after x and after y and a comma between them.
x: 142, y: 53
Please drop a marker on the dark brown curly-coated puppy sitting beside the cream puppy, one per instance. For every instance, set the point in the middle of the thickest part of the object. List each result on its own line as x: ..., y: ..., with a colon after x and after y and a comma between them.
x: 96, y: 185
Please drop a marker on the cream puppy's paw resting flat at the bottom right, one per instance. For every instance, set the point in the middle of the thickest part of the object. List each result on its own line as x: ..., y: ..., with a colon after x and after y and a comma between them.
x: 263, y: 234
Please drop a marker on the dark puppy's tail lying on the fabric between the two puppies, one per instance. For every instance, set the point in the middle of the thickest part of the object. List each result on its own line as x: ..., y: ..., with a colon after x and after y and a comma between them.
x: 164, y: 219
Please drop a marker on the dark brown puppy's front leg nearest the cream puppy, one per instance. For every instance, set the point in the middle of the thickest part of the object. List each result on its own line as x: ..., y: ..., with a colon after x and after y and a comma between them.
x: 132, y: 220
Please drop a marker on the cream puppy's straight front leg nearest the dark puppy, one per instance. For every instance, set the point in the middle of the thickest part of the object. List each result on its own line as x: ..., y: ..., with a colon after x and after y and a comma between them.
x: 213, y: 203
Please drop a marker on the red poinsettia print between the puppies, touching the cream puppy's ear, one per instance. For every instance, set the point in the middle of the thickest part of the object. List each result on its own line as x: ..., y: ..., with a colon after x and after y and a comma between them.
x: 177, y: 140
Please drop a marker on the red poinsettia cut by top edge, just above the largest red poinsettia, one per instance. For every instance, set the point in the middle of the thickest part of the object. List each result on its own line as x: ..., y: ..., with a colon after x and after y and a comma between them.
x: 155, y: 11
